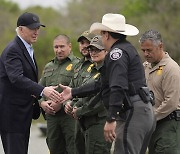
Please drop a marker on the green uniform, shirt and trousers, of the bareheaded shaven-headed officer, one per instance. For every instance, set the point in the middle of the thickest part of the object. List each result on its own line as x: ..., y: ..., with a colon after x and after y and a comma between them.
x: 60, y: 127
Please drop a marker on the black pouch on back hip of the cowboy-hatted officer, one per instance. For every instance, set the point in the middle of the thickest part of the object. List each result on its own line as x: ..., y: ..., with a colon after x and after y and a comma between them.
x: 145, y: 94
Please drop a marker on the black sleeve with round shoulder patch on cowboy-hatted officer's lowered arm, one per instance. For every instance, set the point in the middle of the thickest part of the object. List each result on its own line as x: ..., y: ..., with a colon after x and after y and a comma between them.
x: 117, y: 72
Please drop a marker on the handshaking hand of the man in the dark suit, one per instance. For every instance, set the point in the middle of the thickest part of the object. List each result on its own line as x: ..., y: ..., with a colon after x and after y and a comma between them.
x: 52, y: 94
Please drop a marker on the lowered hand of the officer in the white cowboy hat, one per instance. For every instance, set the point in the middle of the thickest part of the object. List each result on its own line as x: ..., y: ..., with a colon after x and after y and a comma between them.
x: 109, y: 131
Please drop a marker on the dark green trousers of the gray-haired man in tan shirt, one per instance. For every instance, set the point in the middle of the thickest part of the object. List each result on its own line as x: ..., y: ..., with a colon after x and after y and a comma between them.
x: 166, y: 138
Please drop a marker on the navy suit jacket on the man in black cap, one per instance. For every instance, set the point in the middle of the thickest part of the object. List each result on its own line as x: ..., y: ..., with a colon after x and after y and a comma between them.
x: 18, y: 82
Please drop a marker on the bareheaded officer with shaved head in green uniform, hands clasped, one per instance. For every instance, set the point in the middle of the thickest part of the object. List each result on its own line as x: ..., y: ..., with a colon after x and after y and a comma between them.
x: 60, y: 126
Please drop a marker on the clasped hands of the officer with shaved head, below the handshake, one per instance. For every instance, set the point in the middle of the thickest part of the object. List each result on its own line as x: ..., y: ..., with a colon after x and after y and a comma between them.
x: 47, y: 108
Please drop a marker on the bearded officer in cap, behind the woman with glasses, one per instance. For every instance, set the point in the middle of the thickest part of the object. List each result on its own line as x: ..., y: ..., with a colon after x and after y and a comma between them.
x: 81, y: 71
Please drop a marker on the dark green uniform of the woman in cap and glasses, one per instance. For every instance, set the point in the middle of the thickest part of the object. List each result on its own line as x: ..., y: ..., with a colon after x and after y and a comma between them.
x: 92, y: 117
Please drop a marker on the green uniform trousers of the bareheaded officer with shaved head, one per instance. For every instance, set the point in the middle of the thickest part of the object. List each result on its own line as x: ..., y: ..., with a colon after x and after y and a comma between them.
x: 60, y: 133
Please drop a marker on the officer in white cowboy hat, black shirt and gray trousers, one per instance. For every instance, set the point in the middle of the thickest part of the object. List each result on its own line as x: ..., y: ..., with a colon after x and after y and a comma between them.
x: 130, y: 121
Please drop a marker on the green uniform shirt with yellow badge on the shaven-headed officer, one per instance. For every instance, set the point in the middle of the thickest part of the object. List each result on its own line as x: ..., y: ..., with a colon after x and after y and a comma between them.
x: 59, y: 72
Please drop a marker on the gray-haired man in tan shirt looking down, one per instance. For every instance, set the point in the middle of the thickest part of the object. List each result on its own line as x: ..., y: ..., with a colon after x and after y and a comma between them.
x: 163, y: 78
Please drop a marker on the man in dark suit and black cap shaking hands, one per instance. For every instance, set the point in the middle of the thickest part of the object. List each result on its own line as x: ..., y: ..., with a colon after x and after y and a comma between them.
x: 18, y: 86
